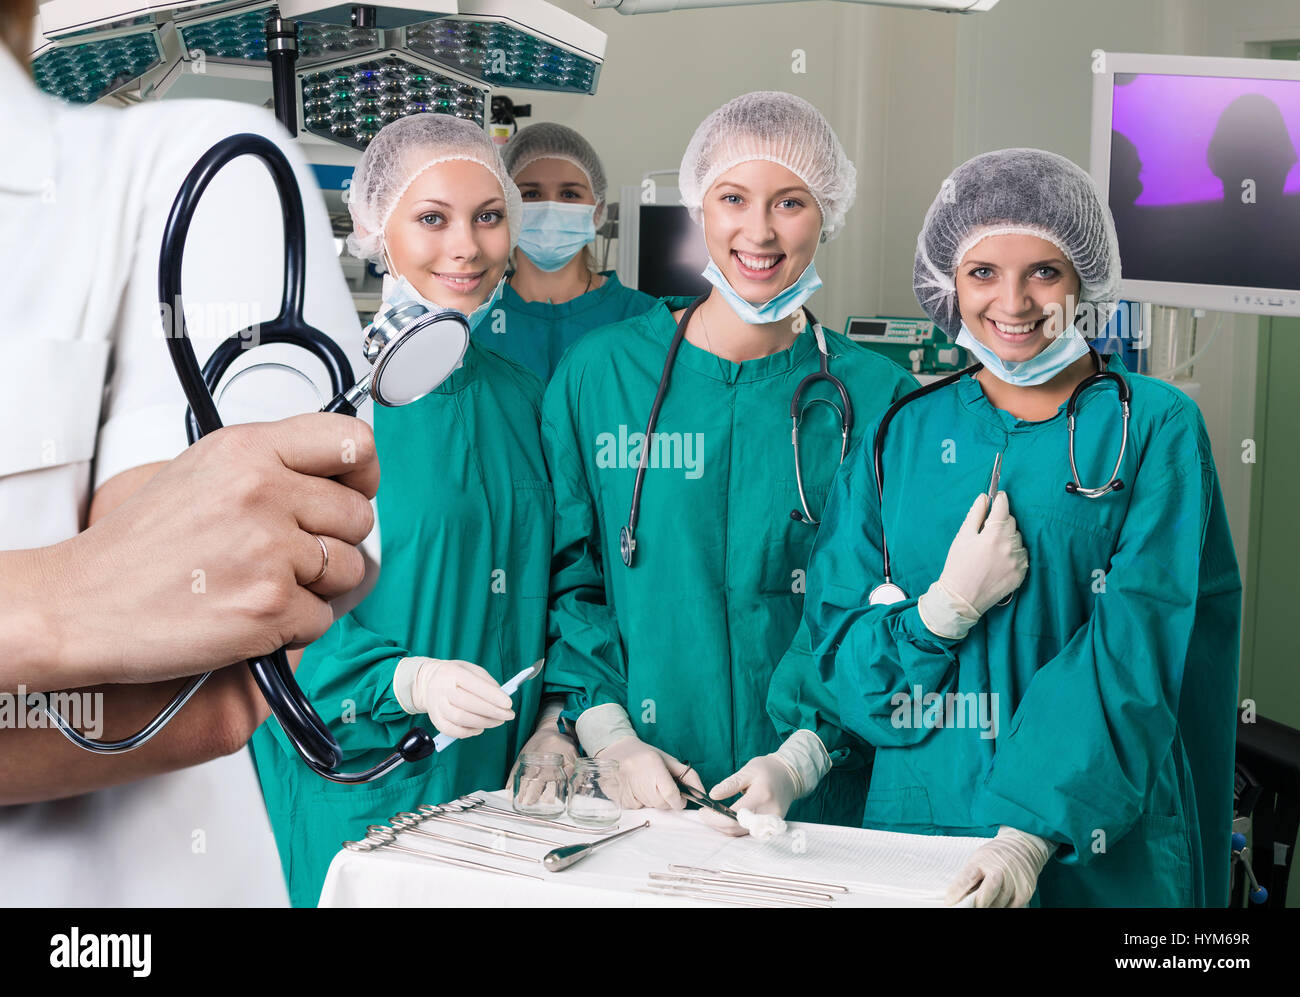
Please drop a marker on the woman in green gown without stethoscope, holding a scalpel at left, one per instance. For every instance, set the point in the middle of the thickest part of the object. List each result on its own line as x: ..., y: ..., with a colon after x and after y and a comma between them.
x: 466, y: 523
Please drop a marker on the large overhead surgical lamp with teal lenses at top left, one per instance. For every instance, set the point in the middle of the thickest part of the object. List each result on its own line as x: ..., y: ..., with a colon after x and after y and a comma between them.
x: 344, y: 71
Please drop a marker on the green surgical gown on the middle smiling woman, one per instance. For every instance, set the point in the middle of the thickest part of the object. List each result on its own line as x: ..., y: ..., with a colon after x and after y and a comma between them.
x: 687, y: 639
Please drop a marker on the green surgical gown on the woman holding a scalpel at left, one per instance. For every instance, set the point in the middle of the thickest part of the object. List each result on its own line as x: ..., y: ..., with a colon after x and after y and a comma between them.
x: 465, y: 513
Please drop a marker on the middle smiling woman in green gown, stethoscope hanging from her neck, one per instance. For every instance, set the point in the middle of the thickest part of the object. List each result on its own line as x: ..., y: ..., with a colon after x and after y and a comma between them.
x: 669, y: 661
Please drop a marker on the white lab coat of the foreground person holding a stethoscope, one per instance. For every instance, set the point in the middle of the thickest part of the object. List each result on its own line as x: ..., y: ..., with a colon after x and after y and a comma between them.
x: 88, y: 391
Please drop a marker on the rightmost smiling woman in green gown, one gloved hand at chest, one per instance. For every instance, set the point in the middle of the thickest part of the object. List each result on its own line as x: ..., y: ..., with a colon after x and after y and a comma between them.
x: 1061, y: 680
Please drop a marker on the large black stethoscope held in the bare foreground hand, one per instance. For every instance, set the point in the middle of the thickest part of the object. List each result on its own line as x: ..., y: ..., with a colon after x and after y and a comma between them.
x: 432, y: 346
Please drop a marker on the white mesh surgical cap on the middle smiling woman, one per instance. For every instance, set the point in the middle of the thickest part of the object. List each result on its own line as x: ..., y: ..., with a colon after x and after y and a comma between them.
x: 779, y: 128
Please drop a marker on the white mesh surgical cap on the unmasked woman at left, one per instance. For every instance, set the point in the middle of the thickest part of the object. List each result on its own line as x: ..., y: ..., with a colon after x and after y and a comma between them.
x: 402, y: 151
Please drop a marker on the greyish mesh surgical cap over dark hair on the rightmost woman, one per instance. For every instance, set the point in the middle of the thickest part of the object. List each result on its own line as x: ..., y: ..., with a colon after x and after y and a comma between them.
x: 1015, y: 192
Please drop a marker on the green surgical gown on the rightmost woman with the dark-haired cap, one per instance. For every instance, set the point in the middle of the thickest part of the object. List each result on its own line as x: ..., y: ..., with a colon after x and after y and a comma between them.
x: 1112, y: 675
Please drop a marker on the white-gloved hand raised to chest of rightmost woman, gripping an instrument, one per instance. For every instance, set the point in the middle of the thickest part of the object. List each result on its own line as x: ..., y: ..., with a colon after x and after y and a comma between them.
x: 986, y: 563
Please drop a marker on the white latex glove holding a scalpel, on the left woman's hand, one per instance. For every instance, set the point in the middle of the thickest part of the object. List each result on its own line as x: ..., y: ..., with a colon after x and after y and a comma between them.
x: 460, y: 697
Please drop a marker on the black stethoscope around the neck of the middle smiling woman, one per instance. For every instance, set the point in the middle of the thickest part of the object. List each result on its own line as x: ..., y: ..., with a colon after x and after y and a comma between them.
x: 629, y: 534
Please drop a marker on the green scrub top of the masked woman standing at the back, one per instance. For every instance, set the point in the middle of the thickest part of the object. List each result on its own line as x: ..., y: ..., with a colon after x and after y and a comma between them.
x: 538, y: 333
